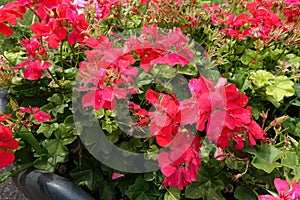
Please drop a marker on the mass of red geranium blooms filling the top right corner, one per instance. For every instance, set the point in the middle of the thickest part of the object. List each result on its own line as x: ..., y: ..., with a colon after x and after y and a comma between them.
x: 260, y: 20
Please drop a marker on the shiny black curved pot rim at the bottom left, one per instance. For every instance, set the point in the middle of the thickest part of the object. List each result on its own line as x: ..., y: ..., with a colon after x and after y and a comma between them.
x: 40, y: 185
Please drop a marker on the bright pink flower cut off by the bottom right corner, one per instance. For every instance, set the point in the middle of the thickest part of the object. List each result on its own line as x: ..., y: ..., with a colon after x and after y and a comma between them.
x: 285, y: 191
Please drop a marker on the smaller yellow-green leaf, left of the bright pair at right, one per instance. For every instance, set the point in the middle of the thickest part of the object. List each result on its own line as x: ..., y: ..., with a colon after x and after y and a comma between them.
x: 261, y: 78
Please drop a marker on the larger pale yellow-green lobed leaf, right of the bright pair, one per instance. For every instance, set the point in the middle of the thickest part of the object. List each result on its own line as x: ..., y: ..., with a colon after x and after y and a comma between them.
x: 282, y: 87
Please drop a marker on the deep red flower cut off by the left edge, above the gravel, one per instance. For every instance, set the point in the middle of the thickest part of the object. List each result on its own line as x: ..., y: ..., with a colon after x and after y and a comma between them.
x: 7, y: 142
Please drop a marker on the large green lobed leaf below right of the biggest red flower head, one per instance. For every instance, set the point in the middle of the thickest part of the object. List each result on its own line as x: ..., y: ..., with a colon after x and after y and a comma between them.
x: 265, y: 157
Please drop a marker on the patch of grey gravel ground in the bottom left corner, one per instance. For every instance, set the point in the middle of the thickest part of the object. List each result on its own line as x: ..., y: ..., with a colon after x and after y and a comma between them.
x: 9, y: 191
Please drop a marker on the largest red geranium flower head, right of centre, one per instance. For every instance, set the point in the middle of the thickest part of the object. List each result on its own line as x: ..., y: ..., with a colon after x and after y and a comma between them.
x: 223, y: 108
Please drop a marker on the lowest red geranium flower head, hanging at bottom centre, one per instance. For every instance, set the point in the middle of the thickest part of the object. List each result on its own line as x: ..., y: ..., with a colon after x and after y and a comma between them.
x: 180, y: 166
